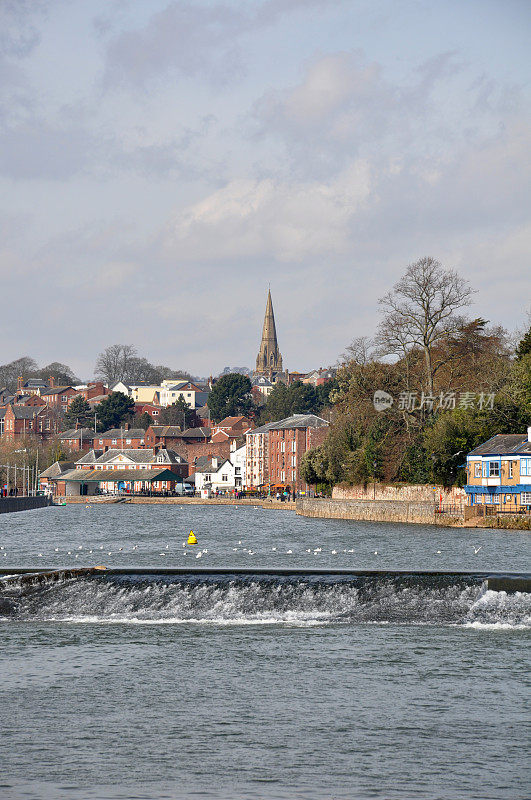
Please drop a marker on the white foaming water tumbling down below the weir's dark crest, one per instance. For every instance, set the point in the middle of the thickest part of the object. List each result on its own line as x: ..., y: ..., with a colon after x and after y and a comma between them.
x: 297, y: 602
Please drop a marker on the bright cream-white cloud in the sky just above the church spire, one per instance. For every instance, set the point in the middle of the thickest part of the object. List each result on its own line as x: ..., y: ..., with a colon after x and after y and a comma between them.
x: 270, y: 219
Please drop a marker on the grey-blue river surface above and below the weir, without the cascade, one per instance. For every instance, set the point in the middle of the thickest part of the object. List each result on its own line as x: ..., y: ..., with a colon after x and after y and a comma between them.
x: 163, y: 687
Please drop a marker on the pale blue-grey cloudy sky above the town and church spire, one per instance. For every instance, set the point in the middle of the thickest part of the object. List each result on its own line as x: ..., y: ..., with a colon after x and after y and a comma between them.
x: 162, y: 163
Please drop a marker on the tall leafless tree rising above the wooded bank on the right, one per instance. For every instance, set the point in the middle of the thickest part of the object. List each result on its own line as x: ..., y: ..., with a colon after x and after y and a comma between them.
x: 421, y: 312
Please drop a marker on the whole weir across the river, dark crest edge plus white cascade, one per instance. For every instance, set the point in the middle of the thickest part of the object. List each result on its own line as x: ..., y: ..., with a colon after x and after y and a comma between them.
x: 266, y: 596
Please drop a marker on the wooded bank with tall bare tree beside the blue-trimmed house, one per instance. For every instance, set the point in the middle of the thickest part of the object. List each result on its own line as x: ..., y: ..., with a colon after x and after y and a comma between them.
x: 452, y: 383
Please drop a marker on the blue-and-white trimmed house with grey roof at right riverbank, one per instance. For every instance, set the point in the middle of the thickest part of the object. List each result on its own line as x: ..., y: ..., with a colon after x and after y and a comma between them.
x: 499, y: 473
